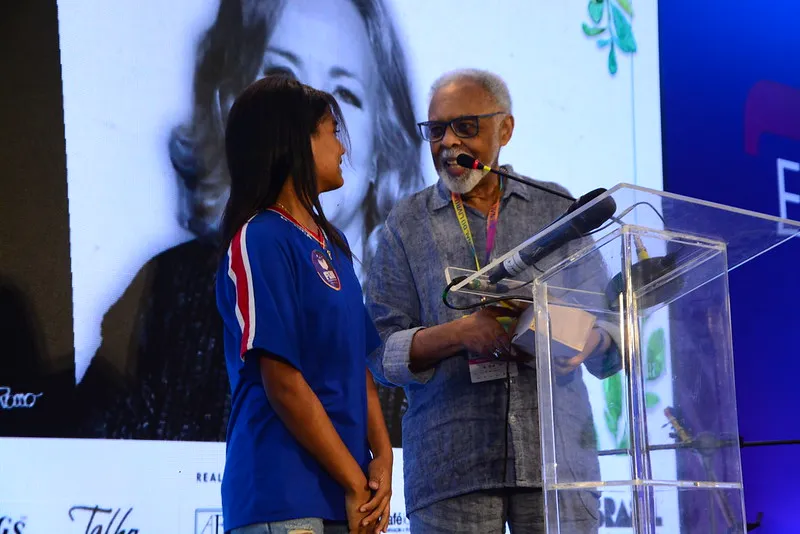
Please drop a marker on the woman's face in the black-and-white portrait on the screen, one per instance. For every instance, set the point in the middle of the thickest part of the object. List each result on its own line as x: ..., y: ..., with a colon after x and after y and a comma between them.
x: 324, y: 44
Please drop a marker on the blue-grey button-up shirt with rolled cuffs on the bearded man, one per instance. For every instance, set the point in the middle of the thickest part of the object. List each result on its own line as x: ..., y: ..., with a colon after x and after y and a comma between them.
x: 453, y: 430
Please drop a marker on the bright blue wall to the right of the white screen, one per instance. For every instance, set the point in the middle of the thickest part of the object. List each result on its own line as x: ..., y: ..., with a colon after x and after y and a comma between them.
x: 713, y: 56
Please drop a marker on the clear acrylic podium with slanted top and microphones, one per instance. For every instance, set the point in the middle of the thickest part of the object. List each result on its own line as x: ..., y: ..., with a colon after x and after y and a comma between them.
x: 642, y: 439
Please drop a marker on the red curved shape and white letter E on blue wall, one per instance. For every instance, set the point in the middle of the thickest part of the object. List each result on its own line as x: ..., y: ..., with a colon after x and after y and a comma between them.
x: 774, y: 108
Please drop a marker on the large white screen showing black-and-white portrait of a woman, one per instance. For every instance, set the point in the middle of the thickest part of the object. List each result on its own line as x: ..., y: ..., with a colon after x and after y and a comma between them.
x: 144, y: 100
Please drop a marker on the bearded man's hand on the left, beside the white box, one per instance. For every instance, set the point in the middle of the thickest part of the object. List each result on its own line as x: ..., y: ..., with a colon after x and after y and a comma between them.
x: 482, y: 333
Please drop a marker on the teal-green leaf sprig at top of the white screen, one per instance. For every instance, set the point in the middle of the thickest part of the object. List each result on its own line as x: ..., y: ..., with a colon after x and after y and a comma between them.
x: 611, y: 25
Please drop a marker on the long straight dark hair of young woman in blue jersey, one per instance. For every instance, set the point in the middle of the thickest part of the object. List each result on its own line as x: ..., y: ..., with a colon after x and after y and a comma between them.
x: 267, y: 140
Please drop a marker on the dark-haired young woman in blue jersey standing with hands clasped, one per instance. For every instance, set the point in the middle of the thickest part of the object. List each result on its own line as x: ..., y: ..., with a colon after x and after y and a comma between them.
x: 306, y: 428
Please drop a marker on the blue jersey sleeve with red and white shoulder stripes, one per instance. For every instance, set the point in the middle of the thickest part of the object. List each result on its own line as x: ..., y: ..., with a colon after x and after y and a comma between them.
x: 266, y: 302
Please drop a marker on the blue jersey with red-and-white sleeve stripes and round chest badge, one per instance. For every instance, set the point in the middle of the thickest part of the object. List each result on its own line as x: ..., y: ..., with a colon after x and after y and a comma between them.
x: 279, y: 291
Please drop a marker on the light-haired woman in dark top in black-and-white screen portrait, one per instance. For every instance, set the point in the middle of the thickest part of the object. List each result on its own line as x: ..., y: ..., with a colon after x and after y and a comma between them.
x: 164, y: 328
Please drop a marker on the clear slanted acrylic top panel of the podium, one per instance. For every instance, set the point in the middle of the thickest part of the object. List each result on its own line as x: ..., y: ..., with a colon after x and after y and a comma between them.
x: 745, y: 234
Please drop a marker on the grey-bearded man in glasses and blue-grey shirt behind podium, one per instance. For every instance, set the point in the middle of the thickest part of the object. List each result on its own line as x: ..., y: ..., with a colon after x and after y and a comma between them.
x: 471, y: 433
